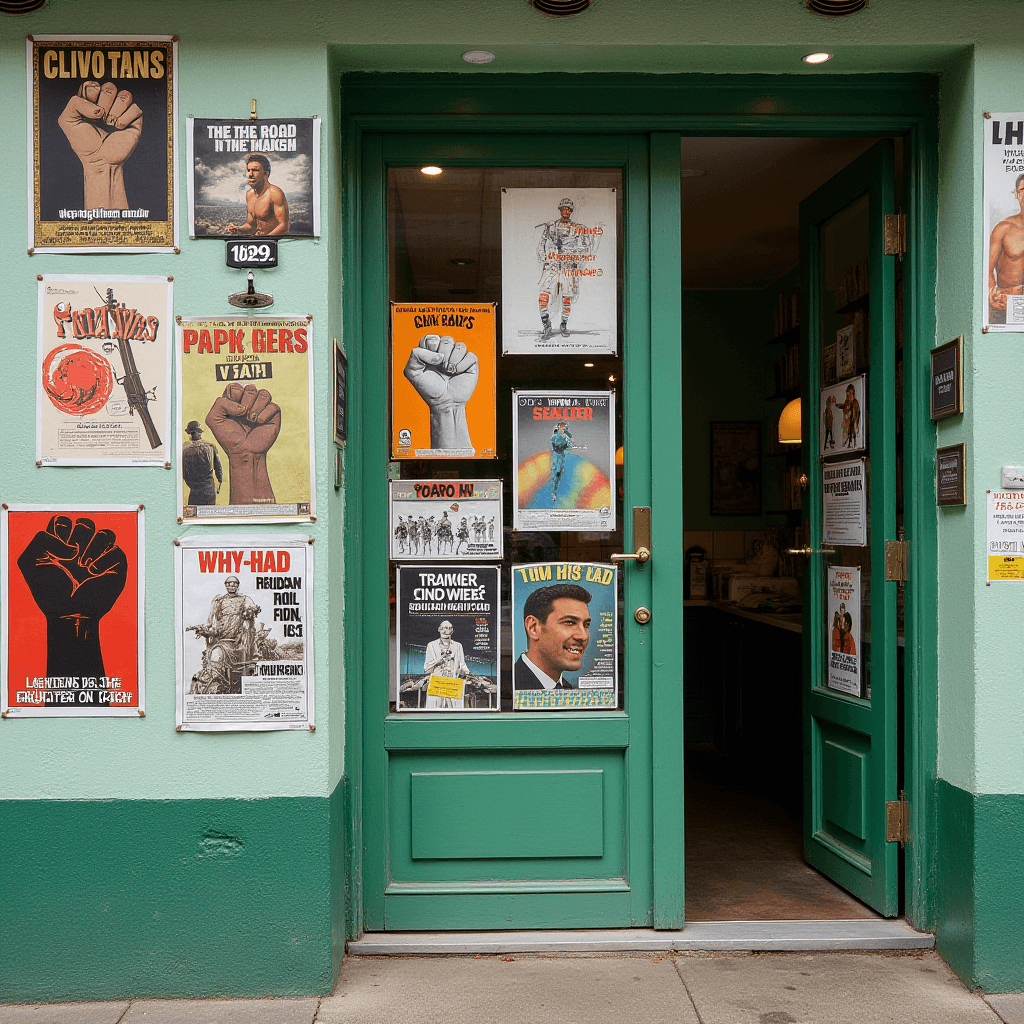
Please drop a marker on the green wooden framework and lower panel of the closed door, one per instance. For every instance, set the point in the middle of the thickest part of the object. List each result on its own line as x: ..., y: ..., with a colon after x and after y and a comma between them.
x: 543, y: 820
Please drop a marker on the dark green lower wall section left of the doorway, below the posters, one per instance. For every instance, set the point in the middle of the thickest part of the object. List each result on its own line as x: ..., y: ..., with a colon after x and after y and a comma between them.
x: 108, y: 900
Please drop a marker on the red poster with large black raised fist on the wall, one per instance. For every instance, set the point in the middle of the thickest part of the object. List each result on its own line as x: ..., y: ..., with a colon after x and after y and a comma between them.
x: 74, y: 582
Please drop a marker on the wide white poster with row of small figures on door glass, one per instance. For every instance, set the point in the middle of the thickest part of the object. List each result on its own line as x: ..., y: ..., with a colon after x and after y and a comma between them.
x: 445, y: 520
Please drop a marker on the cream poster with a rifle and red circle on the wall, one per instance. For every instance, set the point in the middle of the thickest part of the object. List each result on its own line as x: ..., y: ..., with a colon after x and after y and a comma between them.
x: 104, y: 373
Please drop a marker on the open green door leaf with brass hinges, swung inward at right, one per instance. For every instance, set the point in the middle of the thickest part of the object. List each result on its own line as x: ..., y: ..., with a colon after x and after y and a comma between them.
x: 850, y: 634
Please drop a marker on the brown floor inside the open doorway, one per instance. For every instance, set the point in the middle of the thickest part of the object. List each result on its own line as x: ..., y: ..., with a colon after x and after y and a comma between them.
x: 745, y: 850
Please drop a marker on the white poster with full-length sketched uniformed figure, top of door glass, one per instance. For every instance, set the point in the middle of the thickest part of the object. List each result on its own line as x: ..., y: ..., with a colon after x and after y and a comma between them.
x: 560, y: 273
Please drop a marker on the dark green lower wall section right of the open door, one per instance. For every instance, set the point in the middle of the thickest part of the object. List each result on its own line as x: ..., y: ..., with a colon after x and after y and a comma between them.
x: 980, y: 893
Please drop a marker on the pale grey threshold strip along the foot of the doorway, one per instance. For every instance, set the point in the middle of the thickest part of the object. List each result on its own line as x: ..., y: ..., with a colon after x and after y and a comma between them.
x: 712, y: 936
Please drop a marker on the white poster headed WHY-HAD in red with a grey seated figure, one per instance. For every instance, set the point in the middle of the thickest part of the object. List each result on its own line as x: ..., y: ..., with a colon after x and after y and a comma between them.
x: 244, y: 632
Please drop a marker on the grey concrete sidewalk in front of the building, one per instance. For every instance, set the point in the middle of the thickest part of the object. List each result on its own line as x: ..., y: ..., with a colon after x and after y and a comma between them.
x: 715, y: 989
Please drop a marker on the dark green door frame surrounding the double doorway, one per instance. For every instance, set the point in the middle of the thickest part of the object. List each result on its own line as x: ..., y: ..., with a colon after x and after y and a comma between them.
x: 755, y: 106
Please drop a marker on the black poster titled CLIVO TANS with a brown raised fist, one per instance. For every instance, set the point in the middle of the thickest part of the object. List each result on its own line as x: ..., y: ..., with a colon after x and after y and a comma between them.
x: 103, y: 131
